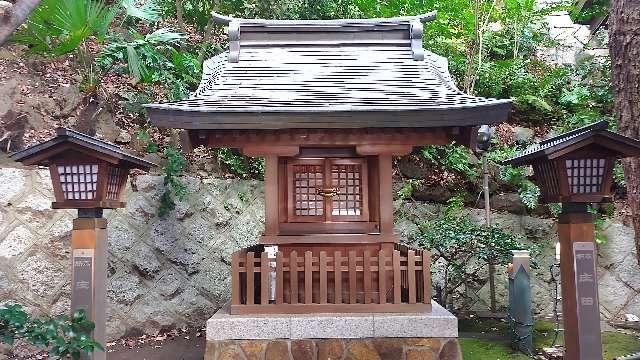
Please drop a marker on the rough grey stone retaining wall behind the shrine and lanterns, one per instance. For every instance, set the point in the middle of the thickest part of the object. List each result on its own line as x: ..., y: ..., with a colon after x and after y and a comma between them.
x: 174, y: 272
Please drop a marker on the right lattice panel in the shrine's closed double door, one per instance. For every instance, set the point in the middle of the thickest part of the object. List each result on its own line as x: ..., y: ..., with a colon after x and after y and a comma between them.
x: 347, y: 179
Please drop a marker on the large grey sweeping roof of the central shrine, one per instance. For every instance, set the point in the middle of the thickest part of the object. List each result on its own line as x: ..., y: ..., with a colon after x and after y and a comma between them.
x: 348, y: 73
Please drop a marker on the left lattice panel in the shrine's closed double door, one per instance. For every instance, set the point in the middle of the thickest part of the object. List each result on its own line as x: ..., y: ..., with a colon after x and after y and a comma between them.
x: 307, y: 179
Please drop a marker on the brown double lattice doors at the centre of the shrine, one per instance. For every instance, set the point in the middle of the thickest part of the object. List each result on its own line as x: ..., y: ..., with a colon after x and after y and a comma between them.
x: 327, y: 190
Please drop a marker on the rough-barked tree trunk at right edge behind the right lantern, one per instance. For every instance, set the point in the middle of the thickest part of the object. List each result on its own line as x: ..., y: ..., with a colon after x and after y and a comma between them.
x: 624, y: 47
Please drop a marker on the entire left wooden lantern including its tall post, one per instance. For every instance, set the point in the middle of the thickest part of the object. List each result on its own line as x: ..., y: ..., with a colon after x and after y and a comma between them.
x: 89, y: 175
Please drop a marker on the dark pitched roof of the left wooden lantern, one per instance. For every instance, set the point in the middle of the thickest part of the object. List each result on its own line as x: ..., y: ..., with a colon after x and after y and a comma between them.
x: 70, y: 139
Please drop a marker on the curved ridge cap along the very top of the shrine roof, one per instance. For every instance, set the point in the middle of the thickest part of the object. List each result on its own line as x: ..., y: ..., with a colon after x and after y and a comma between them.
x: 422, y: 18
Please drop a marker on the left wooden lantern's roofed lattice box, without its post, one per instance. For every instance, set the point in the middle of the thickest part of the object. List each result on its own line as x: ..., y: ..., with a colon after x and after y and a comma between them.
x: 85, y: 172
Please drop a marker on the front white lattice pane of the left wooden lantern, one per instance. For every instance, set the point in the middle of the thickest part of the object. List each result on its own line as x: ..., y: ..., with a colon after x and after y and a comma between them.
x: 78, y: 182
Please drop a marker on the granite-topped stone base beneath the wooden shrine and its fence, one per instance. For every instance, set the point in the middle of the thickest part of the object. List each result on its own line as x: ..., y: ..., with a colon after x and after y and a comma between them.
x: 416, y: 336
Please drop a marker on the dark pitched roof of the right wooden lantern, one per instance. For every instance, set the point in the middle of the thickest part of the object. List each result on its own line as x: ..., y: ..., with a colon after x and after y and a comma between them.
x: 616, y: 145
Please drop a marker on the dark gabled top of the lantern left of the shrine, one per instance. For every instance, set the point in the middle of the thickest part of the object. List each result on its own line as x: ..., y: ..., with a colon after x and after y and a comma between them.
x: 68, y: 135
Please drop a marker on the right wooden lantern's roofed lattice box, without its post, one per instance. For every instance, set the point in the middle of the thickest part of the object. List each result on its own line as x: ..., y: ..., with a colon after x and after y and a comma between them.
x: 577, y: 166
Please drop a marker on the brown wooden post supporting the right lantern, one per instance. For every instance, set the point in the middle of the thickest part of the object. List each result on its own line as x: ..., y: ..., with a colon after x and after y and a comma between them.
x: 580, y: 307
